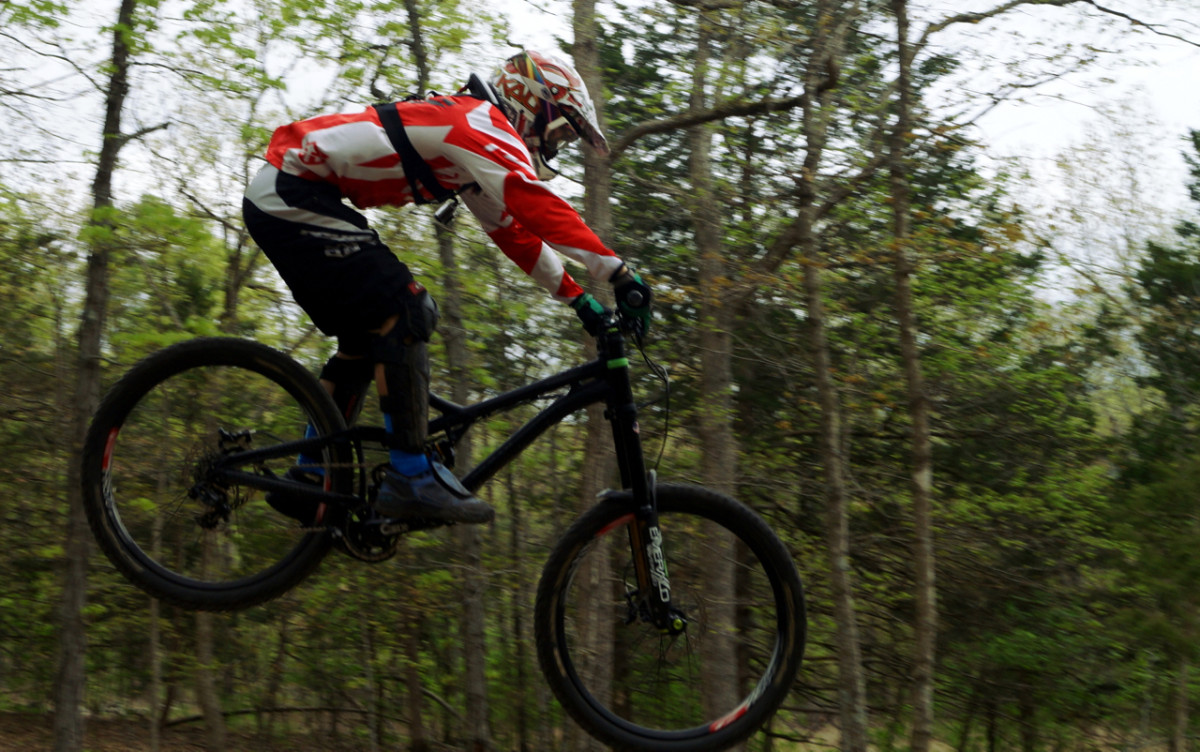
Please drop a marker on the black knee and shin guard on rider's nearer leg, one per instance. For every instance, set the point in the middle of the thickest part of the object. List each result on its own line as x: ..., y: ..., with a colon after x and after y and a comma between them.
x: 406, y: 371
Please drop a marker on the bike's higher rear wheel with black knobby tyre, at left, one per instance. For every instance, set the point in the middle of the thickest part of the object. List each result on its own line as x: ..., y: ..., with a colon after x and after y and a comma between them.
x: 165, y: 518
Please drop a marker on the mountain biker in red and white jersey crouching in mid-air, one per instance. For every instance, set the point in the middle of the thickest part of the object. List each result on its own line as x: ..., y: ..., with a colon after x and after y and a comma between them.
x: 491, y: 146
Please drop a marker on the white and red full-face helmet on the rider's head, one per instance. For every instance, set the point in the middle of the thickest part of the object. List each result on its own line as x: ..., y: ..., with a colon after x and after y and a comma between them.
x: 549, y: 104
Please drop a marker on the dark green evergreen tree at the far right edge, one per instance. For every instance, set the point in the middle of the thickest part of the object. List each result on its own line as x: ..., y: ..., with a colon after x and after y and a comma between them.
x: 1159, y: 514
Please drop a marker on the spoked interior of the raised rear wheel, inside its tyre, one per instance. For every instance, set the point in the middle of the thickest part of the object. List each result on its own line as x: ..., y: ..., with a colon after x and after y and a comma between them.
x: 163, y: 455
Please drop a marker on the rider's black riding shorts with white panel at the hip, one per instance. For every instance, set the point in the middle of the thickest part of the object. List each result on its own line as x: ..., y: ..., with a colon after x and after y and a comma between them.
x: 349, y: 282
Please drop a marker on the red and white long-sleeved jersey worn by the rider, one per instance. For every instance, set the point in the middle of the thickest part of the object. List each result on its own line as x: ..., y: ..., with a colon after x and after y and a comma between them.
x: 465, y: 141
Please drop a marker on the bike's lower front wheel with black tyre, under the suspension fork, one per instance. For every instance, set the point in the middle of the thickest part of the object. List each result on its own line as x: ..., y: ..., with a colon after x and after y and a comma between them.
x: 637, y: 689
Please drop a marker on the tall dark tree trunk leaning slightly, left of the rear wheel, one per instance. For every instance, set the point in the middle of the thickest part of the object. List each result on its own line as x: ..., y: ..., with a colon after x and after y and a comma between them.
x: 70, y: 679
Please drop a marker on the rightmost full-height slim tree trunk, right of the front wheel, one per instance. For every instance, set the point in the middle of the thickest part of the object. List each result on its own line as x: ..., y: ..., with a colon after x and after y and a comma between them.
x: 926, y: 628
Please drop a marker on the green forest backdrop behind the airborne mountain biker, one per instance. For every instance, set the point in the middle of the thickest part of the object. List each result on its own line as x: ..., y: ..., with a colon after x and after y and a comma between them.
x: 963, y: 389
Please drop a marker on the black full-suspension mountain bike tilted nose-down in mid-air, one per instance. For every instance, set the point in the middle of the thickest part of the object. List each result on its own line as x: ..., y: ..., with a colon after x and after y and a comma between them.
x: 668, y: 617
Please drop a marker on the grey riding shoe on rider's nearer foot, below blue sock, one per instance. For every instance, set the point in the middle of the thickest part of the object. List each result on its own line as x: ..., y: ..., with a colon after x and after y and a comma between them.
x: 435, y: 495
